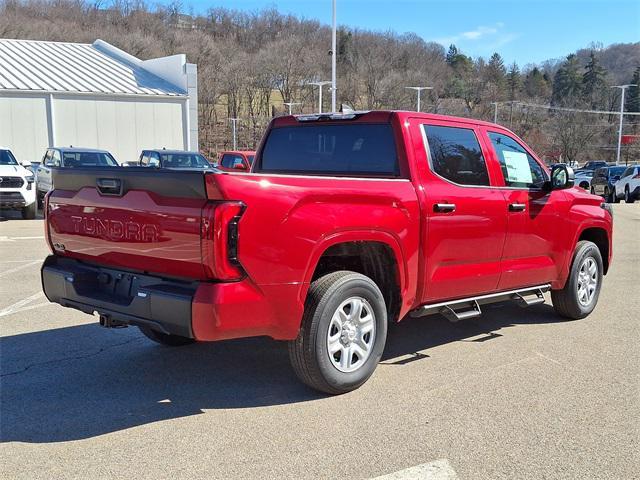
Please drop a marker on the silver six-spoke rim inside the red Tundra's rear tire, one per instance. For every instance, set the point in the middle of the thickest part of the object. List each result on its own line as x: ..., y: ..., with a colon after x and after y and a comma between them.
x: 351, y: 334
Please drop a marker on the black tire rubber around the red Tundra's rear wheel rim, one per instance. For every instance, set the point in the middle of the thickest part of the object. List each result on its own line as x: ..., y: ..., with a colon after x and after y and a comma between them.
x: 309, y: 353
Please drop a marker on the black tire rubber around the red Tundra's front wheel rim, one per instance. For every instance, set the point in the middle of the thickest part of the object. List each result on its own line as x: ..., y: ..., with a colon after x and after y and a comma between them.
x: 565, y: 301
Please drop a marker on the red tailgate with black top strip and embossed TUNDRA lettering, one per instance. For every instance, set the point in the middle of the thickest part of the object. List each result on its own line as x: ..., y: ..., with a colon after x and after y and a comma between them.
x: 140, y: 219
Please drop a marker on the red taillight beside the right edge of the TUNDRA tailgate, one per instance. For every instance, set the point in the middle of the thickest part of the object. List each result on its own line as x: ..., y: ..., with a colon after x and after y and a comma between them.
x: 220, y: 235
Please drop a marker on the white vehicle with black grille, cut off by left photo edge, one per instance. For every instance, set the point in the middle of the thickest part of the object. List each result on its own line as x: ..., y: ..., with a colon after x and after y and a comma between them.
x: 17, y: 188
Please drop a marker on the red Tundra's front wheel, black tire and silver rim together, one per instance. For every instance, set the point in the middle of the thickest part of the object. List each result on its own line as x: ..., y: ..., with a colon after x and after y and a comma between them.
x: 580, y: 294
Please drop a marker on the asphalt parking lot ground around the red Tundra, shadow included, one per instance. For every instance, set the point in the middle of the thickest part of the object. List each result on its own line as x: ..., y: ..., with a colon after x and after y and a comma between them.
x: 515, y: 394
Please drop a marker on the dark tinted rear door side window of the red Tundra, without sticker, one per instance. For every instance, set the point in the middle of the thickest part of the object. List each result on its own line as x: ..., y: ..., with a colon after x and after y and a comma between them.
x: 455, y: 154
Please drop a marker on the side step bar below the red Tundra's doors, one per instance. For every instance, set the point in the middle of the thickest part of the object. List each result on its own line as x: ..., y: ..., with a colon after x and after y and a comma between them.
x: 464, y: 308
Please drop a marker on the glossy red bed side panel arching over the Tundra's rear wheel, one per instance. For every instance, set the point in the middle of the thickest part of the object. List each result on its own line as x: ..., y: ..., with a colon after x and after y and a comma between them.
x: 290, y: 221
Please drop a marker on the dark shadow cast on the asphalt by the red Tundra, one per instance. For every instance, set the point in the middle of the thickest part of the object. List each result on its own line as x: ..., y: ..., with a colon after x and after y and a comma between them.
x: 83, y: 381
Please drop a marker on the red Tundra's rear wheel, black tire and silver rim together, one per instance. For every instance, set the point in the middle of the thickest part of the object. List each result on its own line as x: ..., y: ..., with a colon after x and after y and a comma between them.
x: 343, y: 333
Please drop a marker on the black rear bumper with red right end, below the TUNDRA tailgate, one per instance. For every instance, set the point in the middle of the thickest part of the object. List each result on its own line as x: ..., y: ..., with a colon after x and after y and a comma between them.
x: 201, y: 310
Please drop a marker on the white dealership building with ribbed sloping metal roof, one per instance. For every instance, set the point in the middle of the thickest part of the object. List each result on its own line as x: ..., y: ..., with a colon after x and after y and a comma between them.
x: 55, y: 94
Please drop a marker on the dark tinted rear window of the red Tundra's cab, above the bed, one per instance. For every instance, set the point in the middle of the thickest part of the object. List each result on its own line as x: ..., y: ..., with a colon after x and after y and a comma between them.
x: 351, y: 149
